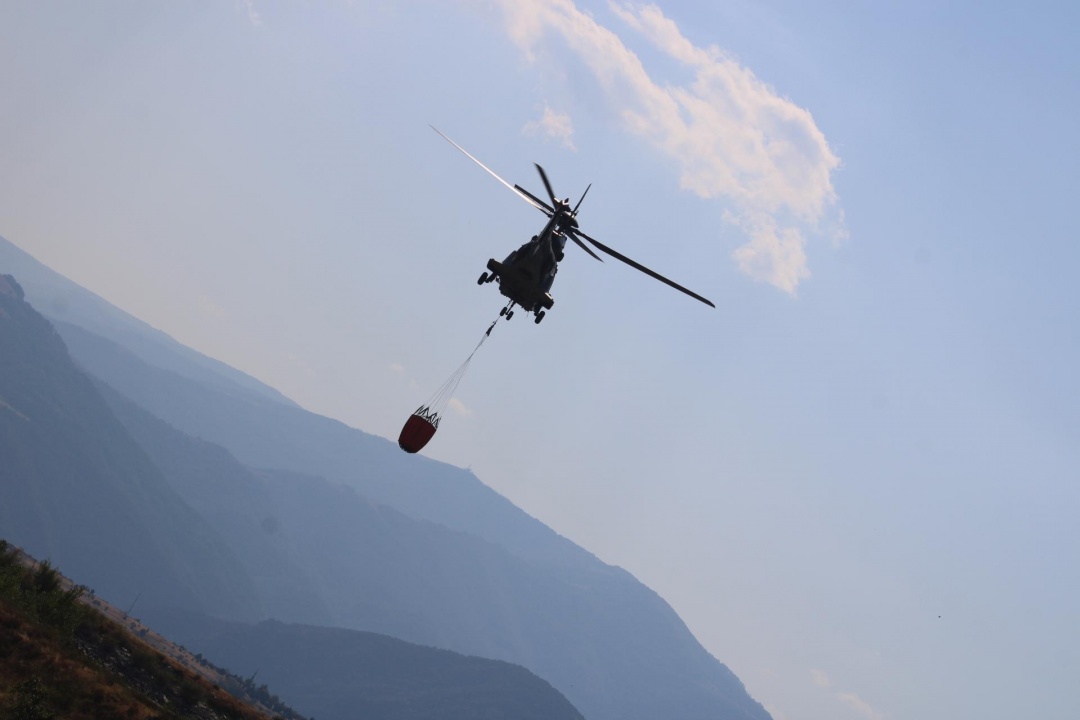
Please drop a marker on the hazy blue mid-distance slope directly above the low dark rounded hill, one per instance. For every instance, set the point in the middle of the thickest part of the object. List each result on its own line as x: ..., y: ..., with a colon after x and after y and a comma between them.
x: 607, y: 643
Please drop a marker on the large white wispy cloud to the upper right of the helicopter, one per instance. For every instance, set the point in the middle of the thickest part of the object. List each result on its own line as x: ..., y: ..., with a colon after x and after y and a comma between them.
x: 733, y: 138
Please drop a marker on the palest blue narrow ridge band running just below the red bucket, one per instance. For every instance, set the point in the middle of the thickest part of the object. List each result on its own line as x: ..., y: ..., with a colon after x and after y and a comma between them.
x: 295, y: 440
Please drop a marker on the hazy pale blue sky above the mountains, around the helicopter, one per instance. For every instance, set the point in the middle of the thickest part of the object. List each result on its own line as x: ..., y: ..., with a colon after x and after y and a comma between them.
x: 856, y: 480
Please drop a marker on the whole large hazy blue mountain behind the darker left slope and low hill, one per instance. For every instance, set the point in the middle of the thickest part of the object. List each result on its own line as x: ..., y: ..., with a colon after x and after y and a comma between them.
x: 360, y: 536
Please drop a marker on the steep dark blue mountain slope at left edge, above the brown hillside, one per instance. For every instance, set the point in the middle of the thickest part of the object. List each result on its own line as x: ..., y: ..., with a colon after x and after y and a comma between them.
x: 77, y: 490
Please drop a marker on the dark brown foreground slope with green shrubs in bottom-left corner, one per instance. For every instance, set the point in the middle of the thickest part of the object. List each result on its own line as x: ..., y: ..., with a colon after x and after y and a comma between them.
x: 62, y: 659
